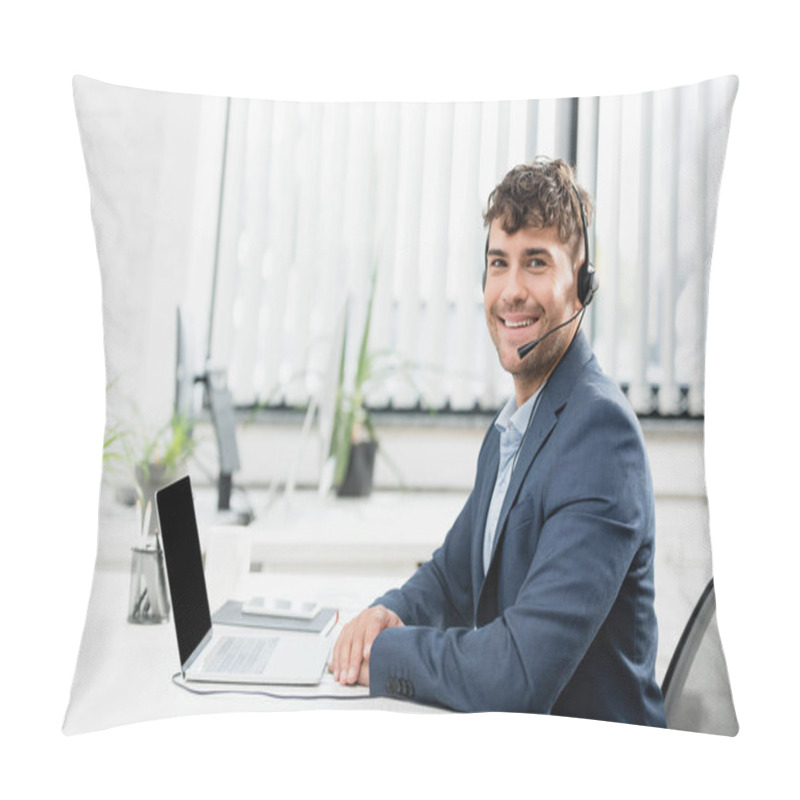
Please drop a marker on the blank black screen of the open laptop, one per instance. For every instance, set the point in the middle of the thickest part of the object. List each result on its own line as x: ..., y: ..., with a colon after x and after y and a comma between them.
x: 187, y: 583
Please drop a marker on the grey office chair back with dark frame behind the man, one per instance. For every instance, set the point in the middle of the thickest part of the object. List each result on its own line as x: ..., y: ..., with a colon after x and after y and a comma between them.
x: 696, y: 689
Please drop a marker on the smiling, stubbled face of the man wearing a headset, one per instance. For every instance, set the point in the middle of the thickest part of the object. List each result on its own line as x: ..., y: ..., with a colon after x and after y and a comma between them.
x: 531, y: 286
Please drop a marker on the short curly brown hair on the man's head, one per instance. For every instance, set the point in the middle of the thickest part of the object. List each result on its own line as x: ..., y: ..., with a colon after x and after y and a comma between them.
x: 540, y: 195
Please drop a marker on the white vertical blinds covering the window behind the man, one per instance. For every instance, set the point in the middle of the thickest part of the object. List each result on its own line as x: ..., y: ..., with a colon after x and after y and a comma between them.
x: 314, y: 197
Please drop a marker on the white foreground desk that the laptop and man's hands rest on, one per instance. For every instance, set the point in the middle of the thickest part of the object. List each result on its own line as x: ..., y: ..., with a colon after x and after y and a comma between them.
x: 124, y: 671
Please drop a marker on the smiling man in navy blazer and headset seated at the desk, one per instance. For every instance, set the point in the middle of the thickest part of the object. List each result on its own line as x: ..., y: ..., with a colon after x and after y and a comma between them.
x: 541, y: 597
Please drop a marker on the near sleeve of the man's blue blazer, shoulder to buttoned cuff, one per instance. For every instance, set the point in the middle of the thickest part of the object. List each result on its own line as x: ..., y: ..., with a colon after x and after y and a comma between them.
x: 596, y: 500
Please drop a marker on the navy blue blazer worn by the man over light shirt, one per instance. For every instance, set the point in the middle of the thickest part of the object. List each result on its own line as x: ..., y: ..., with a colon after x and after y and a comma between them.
x: 563, y: 621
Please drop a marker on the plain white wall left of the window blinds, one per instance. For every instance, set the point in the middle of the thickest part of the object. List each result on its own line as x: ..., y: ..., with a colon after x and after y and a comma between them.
x: 155, y: 228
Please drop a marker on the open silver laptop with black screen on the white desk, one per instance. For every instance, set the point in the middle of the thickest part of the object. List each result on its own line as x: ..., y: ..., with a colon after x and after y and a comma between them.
x: 206, y: 654
